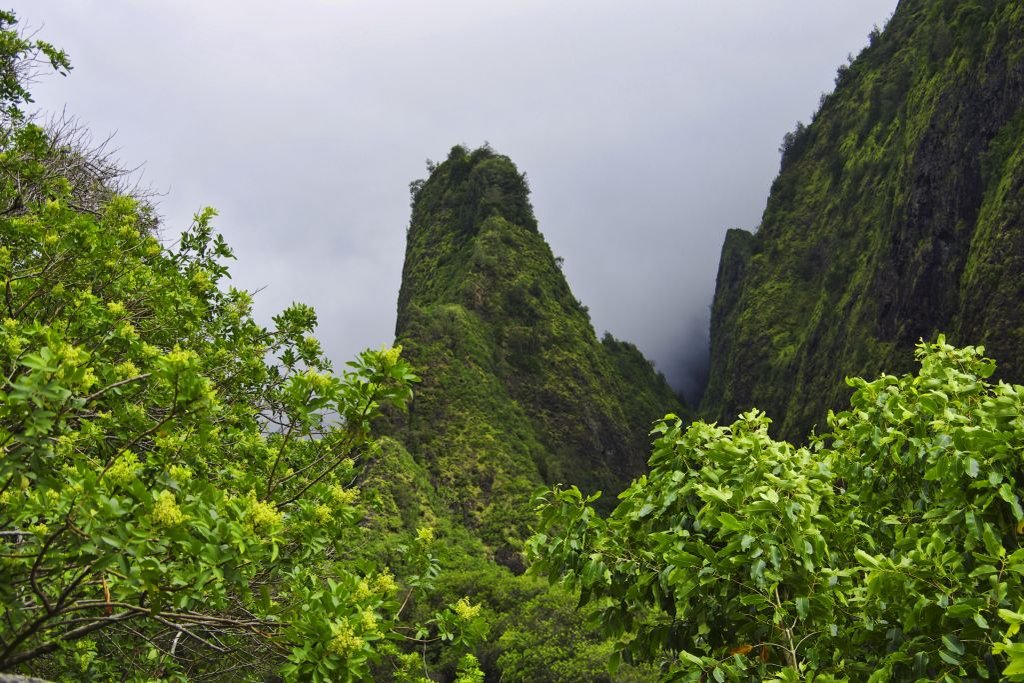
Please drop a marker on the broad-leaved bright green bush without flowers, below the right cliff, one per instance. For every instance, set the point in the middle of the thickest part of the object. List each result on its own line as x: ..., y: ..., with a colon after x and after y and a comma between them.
x: 888, y: 549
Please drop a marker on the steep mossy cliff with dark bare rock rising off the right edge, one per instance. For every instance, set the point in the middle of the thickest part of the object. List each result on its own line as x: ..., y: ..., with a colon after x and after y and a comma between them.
x: 898, y: 215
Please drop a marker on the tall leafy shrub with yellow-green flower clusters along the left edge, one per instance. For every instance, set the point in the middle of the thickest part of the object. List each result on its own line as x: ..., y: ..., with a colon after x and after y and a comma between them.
x: 178, y: 482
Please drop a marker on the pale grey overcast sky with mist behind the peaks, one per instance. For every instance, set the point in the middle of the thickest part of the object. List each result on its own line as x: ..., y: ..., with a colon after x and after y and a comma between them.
x: 647, y: 130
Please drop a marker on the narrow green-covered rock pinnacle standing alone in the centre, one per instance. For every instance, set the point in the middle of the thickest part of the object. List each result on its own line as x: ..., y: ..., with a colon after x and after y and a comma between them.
x: 517, y: 390
